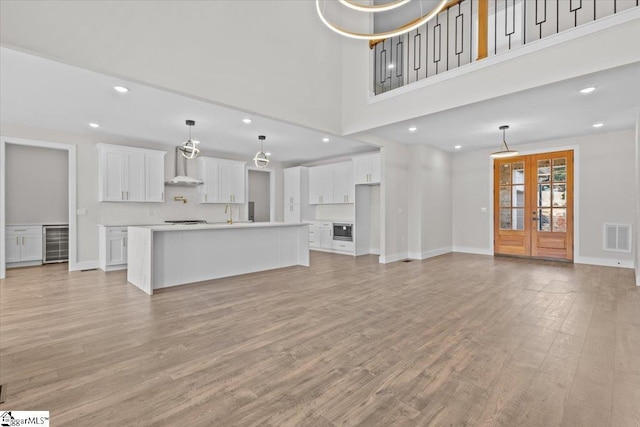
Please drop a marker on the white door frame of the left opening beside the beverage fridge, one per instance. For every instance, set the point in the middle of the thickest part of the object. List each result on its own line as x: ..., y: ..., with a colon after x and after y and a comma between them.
x: 71, y: 150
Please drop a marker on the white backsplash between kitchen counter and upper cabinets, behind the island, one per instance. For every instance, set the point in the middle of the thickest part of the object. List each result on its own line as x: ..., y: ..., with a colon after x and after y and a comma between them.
x: 114, y: 213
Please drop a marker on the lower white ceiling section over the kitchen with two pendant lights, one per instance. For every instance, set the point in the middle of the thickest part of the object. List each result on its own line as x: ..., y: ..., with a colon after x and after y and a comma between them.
x: 42, y: 93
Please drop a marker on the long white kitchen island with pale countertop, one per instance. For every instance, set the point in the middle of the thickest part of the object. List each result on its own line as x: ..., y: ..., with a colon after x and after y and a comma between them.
x: 161, y: 256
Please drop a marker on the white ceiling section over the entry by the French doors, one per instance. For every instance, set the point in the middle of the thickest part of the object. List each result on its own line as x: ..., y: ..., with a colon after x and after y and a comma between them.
x: 545, y: 113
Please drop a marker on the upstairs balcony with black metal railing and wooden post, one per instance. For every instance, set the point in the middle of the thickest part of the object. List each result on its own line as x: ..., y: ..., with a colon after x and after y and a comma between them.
x: 467, y: 31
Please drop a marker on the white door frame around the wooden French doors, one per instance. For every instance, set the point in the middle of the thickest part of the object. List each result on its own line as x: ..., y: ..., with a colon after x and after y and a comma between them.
x: 576, y: 196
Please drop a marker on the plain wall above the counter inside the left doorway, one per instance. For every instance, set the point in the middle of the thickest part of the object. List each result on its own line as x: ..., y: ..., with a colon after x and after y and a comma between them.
x: 37, y: 186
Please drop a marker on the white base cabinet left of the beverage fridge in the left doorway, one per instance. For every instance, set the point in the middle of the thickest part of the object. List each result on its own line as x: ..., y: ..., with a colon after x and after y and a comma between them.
x: 23, y: 244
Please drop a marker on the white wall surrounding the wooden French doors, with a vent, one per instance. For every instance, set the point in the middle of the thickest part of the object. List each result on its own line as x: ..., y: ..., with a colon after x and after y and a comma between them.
x: 605, y: 170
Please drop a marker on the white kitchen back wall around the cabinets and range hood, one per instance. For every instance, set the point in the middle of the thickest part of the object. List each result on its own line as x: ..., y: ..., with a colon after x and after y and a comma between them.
x: 132, y: 213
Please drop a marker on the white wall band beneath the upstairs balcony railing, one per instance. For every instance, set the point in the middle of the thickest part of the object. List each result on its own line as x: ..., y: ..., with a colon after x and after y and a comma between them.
x: 574, y: 53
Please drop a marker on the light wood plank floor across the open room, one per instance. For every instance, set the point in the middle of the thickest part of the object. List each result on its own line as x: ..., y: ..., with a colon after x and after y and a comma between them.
x: 457, y: 340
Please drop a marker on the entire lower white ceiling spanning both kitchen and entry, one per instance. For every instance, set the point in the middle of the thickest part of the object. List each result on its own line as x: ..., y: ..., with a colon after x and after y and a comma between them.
x: 48, y: 94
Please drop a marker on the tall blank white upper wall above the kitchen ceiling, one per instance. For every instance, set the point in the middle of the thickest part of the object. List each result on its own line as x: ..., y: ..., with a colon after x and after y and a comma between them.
x: 273, y: 58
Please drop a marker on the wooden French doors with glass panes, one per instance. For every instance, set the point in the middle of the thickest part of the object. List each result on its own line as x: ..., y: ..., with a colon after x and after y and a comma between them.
x: 533, y: 205
